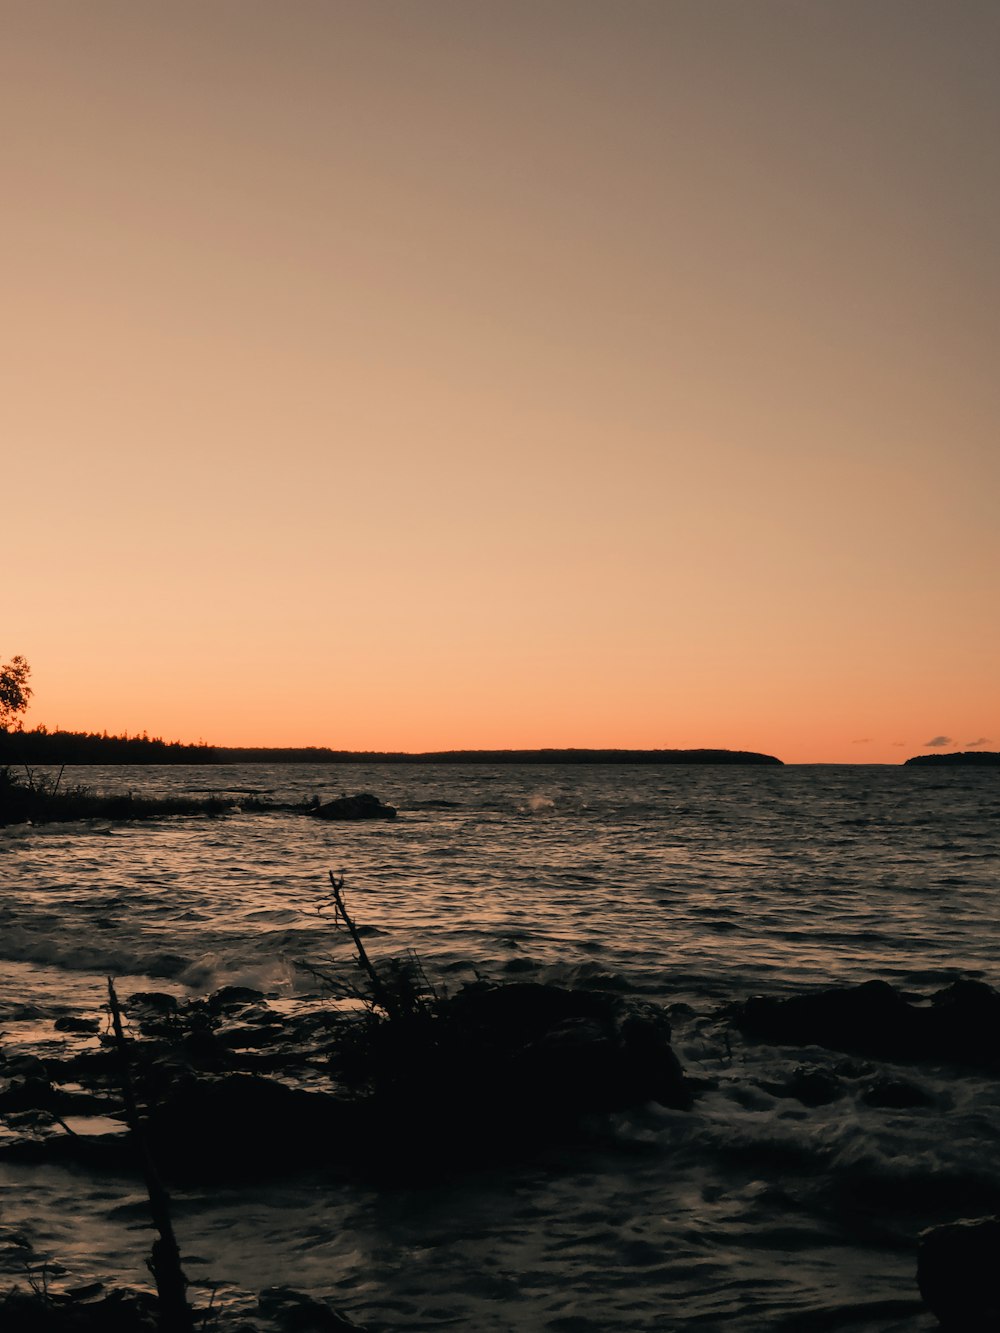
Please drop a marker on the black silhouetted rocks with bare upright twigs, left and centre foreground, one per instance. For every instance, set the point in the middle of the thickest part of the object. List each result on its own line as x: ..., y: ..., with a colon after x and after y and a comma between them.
x: 389, y: 1079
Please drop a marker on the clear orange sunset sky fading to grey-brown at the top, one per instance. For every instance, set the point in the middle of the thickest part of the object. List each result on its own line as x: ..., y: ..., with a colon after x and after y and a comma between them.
x: 495, y: 375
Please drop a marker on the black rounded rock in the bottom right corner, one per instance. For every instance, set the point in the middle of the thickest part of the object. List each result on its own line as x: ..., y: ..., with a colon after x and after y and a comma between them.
x: 958, y: 1270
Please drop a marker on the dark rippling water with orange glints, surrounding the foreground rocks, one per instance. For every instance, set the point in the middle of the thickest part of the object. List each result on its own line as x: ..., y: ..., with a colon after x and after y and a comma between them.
x: 685, y: 886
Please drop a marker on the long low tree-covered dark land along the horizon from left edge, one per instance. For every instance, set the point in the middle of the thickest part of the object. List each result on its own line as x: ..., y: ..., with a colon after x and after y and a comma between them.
x: 43, y: 747
